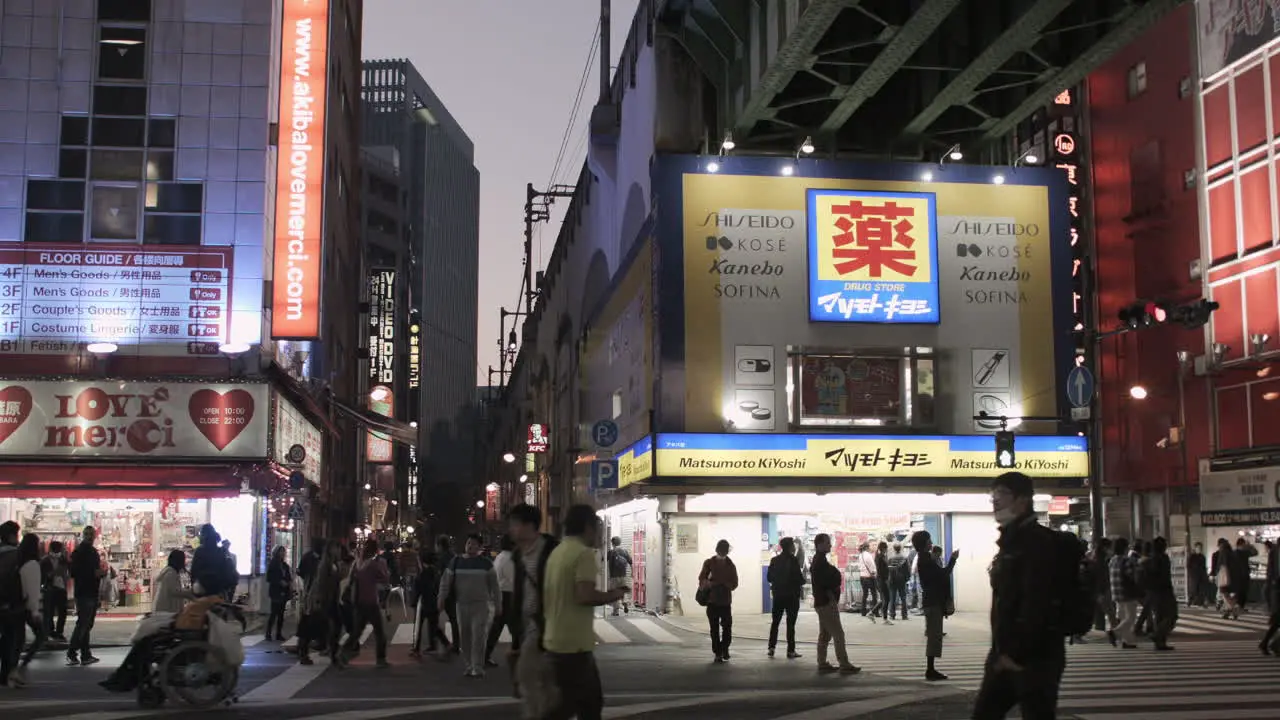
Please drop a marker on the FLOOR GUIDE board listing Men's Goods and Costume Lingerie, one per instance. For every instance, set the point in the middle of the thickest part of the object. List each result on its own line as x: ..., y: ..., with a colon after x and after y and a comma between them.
x: 157, y: 302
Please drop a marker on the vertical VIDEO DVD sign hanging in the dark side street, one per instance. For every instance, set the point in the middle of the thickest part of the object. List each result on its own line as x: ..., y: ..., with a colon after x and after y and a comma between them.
x: 382, y: 359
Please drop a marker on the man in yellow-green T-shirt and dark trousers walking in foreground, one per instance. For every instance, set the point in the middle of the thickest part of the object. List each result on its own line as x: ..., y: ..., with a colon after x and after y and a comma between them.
x: 569, y: 598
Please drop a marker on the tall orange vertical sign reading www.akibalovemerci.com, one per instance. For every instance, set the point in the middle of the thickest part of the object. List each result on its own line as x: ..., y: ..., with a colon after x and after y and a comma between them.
x: 300, y: 171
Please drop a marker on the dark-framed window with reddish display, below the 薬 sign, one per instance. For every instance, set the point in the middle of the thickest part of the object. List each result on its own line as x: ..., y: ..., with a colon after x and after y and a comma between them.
x: 867, y: 390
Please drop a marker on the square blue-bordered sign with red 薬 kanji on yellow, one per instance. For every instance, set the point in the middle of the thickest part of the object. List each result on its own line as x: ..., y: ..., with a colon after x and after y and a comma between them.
x: 874, y: 257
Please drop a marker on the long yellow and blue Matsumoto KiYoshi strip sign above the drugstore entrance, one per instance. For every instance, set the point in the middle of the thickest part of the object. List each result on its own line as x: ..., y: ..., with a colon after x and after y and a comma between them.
x: 849, y: 457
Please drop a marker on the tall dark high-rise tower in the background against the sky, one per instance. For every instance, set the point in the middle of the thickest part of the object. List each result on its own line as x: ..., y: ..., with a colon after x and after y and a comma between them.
x: 442, y: 216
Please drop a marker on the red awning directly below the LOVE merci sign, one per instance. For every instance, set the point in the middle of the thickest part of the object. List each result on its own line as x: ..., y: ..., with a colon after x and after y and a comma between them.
x: 120, y: 482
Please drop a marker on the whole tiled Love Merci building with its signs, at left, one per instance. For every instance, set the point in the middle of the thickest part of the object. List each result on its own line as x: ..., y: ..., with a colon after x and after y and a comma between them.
x: 139, y: 186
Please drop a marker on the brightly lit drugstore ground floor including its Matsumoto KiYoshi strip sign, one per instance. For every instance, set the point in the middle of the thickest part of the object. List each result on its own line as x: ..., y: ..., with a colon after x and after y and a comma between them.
x: 683, y: 493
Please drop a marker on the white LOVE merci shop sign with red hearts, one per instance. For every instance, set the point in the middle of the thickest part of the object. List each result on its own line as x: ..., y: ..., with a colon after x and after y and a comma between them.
x: 131, y: 421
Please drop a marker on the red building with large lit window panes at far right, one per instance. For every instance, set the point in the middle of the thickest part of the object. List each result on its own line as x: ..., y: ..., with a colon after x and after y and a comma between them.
x: 1185, y: 163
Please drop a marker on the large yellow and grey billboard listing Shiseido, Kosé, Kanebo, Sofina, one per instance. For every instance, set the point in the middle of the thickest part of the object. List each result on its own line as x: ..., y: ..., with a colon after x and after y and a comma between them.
x: 810, y: 282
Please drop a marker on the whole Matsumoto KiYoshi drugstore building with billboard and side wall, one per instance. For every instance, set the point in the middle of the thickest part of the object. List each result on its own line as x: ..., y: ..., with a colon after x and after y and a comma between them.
x: 787, y: 347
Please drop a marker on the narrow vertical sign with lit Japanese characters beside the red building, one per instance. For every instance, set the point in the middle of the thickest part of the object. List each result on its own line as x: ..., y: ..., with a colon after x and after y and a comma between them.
x: 1067, y: 153
